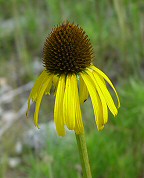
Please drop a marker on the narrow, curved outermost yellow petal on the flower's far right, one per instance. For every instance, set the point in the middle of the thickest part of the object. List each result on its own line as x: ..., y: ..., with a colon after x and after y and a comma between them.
x: 107, y: 79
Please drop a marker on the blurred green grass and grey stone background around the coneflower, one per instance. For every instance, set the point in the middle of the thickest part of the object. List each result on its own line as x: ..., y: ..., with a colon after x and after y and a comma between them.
x: 116, y: 31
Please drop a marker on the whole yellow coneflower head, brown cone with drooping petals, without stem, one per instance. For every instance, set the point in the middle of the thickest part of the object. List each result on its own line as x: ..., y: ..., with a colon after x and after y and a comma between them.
x: 67, y: 58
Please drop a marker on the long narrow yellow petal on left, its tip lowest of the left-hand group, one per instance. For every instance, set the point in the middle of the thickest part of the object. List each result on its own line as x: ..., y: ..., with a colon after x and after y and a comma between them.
x: 40, y: 94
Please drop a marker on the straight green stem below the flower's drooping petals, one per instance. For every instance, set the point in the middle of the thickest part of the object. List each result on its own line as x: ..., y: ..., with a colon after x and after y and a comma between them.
x: 81, y: 142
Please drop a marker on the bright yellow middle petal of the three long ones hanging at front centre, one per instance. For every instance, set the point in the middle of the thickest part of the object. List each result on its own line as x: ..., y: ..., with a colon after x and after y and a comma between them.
x: 69, y: 102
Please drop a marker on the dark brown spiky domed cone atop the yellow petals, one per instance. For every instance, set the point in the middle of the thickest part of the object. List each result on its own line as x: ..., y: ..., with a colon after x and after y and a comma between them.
x: 67, y: 50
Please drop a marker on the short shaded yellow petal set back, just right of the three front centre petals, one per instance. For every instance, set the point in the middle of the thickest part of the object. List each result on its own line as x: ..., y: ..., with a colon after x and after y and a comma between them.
x: 83, y: 91
